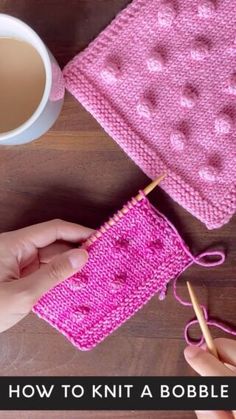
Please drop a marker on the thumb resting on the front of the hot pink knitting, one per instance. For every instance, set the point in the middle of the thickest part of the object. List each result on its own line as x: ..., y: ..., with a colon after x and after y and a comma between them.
x: 51, y: 274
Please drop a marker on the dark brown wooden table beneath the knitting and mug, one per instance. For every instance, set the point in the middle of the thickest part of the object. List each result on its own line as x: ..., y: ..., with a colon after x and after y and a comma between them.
x: 77, y: 172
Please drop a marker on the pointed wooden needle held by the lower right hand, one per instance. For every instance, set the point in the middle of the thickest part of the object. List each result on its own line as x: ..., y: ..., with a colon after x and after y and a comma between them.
x: 202, y: 322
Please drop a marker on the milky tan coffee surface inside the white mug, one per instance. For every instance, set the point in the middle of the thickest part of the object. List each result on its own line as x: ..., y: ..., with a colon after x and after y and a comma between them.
x: 22, y: 82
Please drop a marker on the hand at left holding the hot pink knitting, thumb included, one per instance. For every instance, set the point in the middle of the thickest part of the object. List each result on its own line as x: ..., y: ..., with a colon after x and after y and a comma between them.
x: 33, y: 260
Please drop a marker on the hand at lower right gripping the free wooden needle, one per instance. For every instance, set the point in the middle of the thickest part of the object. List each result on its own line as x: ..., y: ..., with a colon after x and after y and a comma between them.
x: 206, y: 364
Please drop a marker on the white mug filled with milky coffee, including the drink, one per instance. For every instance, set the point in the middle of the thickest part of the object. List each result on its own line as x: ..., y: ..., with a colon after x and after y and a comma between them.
x: 31, y: 84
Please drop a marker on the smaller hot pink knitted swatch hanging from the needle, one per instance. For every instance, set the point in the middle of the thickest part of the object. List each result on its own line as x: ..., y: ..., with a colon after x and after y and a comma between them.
x: 128, y: 264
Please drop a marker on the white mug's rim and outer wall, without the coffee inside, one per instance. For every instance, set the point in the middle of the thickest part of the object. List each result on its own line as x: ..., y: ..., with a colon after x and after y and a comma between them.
x: 53, y: 96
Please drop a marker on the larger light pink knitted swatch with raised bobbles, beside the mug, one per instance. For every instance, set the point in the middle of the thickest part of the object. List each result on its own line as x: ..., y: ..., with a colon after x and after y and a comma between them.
x: 161, y: 80
